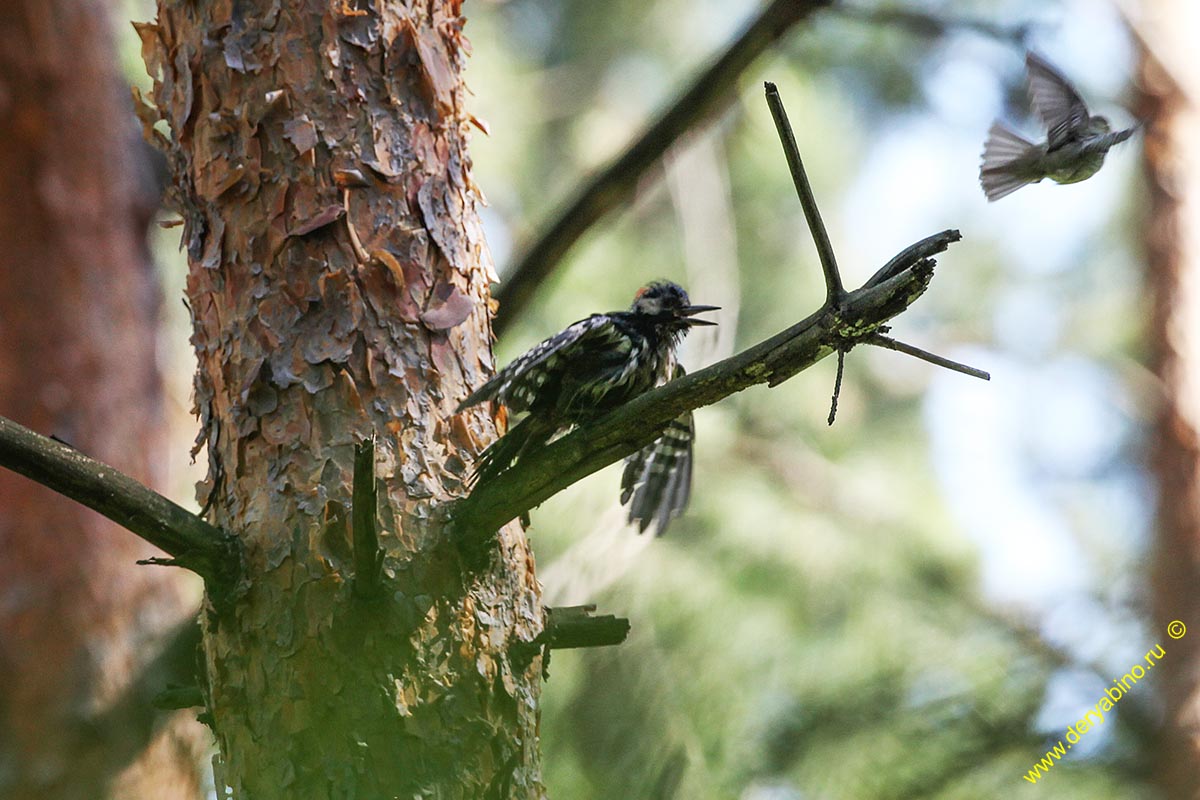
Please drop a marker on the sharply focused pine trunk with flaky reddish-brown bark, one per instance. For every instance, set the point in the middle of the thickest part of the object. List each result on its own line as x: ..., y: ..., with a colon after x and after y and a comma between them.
x: 339, y: 287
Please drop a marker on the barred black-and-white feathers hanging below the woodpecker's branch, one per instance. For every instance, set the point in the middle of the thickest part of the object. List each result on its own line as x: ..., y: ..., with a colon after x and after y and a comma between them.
x: 657, y: 482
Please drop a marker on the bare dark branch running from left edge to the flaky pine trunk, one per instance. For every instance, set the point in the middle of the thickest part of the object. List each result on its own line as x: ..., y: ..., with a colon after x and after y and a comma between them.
x: 193, y: 543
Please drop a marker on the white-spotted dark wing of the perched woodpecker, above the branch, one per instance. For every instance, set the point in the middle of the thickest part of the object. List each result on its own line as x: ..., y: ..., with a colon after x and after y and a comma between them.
x: 519, y: 384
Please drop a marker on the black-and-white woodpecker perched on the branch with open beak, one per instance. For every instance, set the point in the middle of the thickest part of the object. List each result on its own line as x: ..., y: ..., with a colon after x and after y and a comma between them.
x: 591, y: 369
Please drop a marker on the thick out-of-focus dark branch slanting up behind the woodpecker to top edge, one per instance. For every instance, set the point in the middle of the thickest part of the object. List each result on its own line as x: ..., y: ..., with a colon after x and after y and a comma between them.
x: 614, y: 185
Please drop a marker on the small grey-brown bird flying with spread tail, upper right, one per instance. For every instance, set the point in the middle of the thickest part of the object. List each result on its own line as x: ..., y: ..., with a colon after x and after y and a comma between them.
x: 1076, y: 145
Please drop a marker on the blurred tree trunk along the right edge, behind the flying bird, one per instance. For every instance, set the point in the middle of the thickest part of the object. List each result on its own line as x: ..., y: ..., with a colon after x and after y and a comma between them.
x: 1171, y: 80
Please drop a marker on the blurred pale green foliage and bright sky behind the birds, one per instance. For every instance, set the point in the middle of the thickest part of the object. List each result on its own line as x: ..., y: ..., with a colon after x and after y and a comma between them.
x: 919, y: 600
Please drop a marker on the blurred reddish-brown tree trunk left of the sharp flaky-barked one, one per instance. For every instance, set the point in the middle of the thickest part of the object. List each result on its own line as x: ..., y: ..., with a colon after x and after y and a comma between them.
x: 79, y: 318
